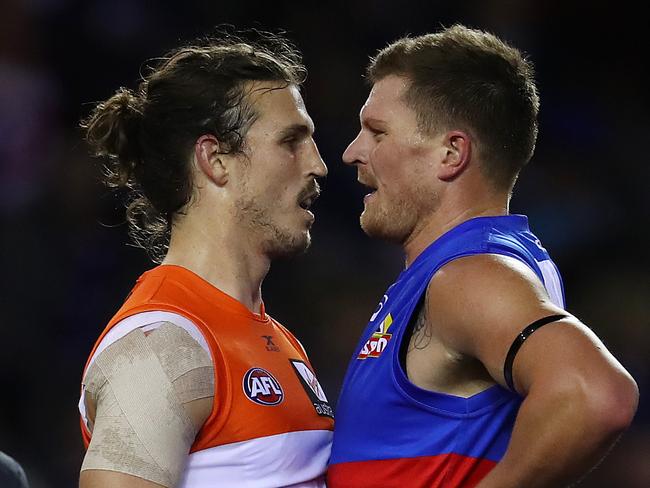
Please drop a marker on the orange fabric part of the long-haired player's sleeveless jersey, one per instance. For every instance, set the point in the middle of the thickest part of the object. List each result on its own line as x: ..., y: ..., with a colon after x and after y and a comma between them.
x: 238, y: 342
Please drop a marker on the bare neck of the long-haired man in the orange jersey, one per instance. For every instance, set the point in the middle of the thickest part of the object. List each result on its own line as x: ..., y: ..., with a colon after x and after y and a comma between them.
x: 224, y: 259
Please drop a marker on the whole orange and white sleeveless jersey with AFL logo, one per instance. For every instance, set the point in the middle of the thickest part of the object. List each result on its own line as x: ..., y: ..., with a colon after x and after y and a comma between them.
x: 270, y: 425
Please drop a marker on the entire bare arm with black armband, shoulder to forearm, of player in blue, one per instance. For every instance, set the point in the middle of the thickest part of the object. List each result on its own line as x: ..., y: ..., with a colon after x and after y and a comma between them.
x: 577, y: 397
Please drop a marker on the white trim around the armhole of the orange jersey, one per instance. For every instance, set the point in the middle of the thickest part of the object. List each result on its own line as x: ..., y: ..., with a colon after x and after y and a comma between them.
x: 147, y: 321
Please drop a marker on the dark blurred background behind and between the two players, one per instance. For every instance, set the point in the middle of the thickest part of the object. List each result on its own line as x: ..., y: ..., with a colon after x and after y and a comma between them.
x: 65, y: 259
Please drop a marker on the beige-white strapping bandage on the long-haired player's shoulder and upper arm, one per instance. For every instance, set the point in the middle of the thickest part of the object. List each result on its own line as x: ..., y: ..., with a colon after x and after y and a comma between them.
x: 139, y: 385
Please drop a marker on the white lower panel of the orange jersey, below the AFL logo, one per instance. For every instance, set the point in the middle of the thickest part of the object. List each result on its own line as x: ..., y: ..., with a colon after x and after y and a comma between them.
x: 293, y: 459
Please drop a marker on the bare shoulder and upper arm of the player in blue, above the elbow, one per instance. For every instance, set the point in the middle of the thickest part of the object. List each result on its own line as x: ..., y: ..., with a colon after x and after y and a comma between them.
x: 486, y: 301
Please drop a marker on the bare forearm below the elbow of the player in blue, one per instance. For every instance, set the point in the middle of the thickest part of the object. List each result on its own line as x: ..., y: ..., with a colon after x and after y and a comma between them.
x: 557, y: 438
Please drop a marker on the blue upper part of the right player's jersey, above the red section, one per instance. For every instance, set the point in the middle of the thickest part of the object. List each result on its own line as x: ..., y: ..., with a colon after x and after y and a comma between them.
x: 380, y: 413
